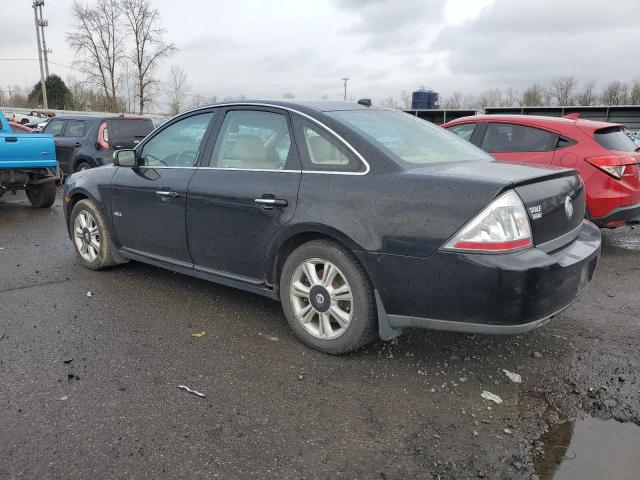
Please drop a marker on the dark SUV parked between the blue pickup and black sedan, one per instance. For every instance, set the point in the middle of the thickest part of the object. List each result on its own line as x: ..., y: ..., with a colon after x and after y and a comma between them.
x: 84, y: 141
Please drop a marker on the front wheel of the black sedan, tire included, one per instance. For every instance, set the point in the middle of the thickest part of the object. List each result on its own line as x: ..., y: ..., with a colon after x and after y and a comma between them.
x: 90, y: 256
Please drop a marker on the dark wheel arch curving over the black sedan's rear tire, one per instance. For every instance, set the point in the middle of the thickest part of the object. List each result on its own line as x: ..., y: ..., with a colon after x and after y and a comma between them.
x: 291, y: 238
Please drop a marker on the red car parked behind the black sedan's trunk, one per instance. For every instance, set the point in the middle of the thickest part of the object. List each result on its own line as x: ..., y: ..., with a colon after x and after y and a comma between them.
x: 607, y: 159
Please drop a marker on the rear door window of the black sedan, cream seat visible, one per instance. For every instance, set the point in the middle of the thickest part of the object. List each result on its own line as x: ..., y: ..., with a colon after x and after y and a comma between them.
x: 252, y: 140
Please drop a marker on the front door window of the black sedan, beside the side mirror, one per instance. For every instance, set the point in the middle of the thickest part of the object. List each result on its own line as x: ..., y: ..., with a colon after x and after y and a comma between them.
x: 178, y: 144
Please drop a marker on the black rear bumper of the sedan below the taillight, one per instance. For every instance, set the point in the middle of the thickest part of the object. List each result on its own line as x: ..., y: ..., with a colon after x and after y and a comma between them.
x: 505, y: 293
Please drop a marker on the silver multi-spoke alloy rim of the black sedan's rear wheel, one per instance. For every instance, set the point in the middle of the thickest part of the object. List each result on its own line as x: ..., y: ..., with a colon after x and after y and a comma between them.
x: 321, y: 298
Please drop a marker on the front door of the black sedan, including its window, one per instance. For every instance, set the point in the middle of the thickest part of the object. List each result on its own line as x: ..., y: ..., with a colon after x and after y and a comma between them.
x: 148, y: 201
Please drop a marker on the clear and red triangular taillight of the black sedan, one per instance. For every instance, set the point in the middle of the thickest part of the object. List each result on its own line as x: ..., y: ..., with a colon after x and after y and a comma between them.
x: 502, y: 226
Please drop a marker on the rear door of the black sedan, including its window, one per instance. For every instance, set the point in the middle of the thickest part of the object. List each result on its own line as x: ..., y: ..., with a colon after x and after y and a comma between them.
x: 245, y: 190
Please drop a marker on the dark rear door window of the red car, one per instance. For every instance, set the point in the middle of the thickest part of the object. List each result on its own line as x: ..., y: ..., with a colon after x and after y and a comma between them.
x: 508, y: 137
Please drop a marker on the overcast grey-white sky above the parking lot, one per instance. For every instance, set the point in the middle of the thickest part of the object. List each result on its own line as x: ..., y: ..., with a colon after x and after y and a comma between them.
x: 265, y: 48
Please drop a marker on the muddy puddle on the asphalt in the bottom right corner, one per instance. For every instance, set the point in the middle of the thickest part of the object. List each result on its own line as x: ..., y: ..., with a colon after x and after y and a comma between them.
x: 590, y: 448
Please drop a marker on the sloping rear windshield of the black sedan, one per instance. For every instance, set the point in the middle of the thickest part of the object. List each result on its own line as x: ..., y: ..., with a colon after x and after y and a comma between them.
x: 411, y: 141
